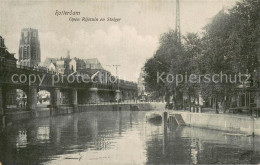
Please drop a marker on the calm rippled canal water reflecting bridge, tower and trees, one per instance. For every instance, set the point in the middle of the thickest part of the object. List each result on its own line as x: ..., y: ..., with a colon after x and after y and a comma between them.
x: 120, y: 137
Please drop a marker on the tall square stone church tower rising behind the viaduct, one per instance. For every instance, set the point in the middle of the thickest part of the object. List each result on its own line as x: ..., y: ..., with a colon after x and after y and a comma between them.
x: 29, y: 49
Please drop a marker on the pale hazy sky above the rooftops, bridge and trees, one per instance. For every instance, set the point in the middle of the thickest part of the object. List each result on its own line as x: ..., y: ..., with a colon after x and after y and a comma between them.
x: 128, y: 43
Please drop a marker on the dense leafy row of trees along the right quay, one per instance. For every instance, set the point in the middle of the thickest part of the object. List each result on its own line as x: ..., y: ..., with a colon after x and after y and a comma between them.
x: 230, y: 44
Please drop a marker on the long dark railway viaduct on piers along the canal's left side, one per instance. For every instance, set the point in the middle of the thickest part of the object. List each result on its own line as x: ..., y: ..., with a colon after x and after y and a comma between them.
x: 32, y: 80
